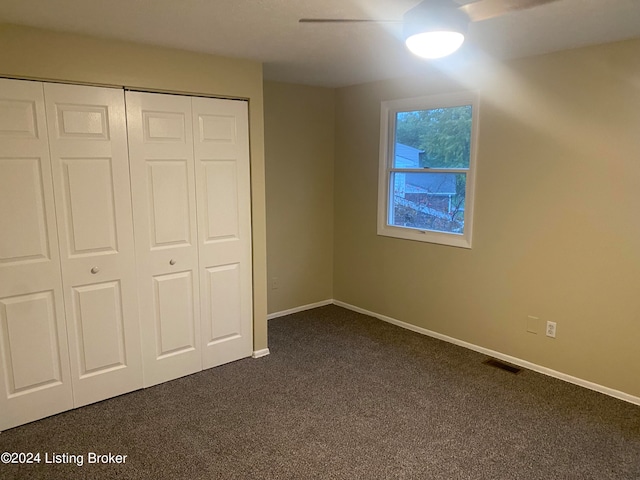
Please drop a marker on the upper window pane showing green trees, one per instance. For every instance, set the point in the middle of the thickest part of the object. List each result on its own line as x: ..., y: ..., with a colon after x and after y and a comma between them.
x: 436, y: 138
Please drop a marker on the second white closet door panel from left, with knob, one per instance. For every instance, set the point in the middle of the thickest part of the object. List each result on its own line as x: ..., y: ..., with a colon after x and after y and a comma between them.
x: 88, y: 141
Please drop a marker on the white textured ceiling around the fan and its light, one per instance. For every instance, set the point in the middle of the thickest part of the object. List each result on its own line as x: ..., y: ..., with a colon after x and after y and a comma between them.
x: 327, y: 55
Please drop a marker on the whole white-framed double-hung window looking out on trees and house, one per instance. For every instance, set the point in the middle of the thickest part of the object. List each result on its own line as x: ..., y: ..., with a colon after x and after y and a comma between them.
x: 427, y: 168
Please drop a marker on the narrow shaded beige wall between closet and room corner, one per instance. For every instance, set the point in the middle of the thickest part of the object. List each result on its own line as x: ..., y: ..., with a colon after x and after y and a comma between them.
x: 299, y: 149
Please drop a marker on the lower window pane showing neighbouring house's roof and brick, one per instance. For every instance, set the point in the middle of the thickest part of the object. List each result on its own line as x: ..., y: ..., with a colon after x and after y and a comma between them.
x: 428, y: 201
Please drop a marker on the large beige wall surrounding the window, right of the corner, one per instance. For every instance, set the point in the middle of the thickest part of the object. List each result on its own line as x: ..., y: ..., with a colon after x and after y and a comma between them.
x: 556, y: 234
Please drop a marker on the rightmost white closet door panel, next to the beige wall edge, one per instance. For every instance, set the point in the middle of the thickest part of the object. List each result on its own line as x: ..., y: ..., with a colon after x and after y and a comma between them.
x: 221, y: 146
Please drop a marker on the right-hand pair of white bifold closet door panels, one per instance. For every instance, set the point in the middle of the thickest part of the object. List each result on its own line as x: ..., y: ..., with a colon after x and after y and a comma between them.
x: 191, y: 191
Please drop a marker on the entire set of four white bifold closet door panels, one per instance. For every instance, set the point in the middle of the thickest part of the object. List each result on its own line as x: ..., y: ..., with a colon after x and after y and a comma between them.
x: 91, y: 307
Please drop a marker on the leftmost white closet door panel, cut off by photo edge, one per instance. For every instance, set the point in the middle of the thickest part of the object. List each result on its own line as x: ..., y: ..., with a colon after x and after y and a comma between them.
x: 34, y: 372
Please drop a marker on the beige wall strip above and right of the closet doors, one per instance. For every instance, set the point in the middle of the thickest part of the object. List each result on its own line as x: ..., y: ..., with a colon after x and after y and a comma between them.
x: 44, y: 55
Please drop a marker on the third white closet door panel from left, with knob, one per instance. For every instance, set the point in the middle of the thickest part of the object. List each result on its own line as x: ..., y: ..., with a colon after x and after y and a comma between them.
x: 164, y: 204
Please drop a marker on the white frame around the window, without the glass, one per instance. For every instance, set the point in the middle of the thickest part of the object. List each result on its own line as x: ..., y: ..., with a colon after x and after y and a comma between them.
x: 389, y: 109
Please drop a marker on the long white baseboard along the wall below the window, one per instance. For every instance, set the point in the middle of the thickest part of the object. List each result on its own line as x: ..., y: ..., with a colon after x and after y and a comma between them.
x: 492, y: 353
